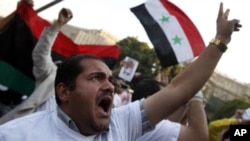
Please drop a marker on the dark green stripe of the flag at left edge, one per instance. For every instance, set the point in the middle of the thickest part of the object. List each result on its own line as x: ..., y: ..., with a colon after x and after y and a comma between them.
x: 15, y: 80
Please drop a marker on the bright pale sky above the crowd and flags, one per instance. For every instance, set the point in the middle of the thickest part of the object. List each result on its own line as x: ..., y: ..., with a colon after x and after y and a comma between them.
x: 115, y: 16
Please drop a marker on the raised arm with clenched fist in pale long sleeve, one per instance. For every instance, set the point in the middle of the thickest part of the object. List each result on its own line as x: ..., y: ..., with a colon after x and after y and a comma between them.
x: 44, y: 71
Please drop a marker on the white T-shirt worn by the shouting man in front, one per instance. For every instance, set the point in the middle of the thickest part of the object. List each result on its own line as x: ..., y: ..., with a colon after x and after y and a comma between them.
x: 125, y: 125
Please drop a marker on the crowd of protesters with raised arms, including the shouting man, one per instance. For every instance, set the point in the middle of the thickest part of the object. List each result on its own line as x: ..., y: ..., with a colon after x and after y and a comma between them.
x: 82, y: 99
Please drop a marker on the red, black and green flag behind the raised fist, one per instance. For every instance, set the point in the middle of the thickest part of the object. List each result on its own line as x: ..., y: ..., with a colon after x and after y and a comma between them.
x: 17, y: 42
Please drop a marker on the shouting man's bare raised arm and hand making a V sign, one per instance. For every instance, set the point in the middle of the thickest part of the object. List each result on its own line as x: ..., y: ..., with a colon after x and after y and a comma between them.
x: 190, y: 80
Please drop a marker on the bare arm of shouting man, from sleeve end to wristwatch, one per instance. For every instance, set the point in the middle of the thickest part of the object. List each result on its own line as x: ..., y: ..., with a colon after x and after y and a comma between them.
x: 184, y: 86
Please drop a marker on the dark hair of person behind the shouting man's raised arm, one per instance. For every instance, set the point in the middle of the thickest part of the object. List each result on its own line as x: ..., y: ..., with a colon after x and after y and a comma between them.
x: 145, y: 88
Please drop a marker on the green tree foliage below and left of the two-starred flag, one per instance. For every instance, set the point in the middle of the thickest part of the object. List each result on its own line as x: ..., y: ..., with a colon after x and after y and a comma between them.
x: 149, y: 64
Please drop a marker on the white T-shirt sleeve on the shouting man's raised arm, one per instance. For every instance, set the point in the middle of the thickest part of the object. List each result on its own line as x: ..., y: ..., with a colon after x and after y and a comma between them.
x: 130, y: 121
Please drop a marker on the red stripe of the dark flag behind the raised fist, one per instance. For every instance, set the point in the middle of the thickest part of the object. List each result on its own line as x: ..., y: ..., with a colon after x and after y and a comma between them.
x: 64, y: 45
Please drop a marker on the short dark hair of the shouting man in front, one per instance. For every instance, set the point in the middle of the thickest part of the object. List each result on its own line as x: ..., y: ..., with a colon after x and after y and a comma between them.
x: 68, y: 71
